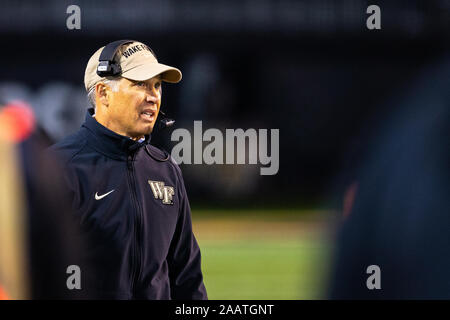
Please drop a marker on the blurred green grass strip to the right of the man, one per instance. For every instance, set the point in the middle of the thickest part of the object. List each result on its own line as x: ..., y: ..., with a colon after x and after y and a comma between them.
x: 262, y: 256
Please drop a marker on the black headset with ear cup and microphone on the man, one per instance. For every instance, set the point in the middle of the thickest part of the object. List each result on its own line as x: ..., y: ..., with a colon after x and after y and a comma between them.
x: 107, y: 67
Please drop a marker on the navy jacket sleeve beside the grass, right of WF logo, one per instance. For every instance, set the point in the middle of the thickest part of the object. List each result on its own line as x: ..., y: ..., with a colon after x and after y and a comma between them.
x: 184, y: 261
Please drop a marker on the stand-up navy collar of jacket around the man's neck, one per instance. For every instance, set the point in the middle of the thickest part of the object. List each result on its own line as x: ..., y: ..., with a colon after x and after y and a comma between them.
x: 109, y: 142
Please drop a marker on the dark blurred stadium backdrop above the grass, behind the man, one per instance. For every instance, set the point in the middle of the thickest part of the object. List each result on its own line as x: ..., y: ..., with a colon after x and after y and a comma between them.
x: 309, y: 68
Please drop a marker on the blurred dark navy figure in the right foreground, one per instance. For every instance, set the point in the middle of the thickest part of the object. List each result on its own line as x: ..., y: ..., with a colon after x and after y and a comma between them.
x: 399, y: 220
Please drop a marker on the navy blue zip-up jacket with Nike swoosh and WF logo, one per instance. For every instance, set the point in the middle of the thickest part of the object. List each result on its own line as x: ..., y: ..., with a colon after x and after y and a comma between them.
x: 132, y: 206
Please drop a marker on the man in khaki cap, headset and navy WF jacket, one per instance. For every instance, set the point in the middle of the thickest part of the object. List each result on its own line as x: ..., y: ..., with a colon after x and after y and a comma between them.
x: 129, y: 196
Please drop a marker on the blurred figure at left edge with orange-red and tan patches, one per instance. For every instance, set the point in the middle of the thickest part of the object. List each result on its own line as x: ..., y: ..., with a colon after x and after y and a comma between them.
x: 37, y: 236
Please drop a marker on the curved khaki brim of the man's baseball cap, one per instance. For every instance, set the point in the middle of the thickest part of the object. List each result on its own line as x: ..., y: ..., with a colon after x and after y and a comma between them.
x: 148, y: 71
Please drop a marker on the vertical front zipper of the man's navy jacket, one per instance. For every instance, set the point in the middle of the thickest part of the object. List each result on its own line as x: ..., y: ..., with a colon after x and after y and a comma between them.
x: 136, y: 261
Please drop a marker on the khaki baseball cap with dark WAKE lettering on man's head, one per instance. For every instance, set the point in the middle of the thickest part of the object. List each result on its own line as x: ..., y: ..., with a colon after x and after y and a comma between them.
x: 137, y: 62
